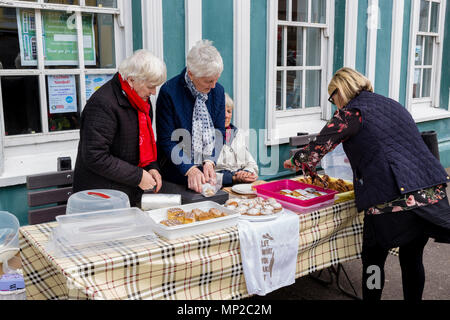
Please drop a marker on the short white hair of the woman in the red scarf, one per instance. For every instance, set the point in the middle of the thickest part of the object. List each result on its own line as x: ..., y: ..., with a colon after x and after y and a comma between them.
x: 145, y: 67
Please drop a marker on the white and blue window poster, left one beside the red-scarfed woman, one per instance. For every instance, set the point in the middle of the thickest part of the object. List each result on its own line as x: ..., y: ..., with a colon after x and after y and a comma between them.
x: 62, y: 94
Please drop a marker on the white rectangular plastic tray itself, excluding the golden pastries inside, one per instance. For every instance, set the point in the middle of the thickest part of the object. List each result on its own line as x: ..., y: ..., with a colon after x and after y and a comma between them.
x: 190, y: 229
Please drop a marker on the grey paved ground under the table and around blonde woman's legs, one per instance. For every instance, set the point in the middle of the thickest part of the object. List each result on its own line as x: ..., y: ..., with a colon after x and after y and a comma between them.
x: 437, y: 283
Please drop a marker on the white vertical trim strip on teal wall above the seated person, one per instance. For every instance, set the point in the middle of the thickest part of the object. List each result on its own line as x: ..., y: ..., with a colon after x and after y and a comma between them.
x: 241, y: 63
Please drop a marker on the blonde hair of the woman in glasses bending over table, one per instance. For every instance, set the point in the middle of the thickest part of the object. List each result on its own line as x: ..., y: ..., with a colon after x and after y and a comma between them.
x: 349, y: 83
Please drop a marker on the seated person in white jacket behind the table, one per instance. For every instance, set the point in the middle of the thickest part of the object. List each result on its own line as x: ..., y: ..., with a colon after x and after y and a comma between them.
x: 235, y: 162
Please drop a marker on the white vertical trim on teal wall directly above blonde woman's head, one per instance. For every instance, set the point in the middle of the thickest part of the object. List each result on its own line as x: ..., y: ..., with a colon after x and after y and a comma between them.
x: 351, y: 28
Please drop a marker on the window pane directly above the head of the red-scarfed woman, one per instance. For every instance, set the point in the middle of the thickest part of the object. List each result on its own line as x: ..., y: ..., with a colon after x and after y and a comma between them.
x: 101, y: 52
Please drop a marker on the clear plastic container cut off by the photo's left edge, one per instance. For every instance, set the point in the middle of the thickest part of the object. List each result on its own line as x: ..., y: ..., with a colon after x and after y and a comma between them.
x: 9, y: 238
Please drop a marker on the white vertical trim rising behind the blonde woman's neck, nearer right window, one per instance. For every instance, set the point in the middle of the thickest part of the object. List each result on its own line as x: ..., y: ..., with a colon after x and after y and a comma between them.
x: 373, y: 18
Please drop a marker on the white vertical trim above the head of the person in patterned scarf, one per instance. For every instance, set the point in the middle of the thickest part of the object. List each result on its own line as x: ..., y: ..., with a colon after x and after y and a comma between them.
x: 193, y: 20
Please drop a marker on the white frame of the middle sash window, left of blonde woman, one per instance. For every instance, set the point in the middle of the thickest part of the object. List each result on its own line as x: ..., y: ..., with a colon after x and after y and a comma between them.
x: 283, y: 124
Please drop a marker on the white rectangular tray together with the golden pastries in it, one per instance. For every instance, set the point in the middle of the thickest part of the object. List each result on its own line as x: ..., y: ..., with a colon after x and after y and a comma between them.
x: 191, y: 219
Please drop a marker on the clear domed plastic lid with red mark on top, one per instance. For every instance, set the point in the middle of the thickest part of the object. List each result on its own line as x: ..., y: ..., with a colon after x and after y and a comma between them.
x: 96, y: 200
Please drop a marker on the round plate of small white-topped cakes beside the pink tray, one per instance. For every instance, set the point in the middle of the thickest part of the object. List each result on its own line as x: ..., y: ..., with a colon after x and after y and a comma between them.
x: 254, y: 207
